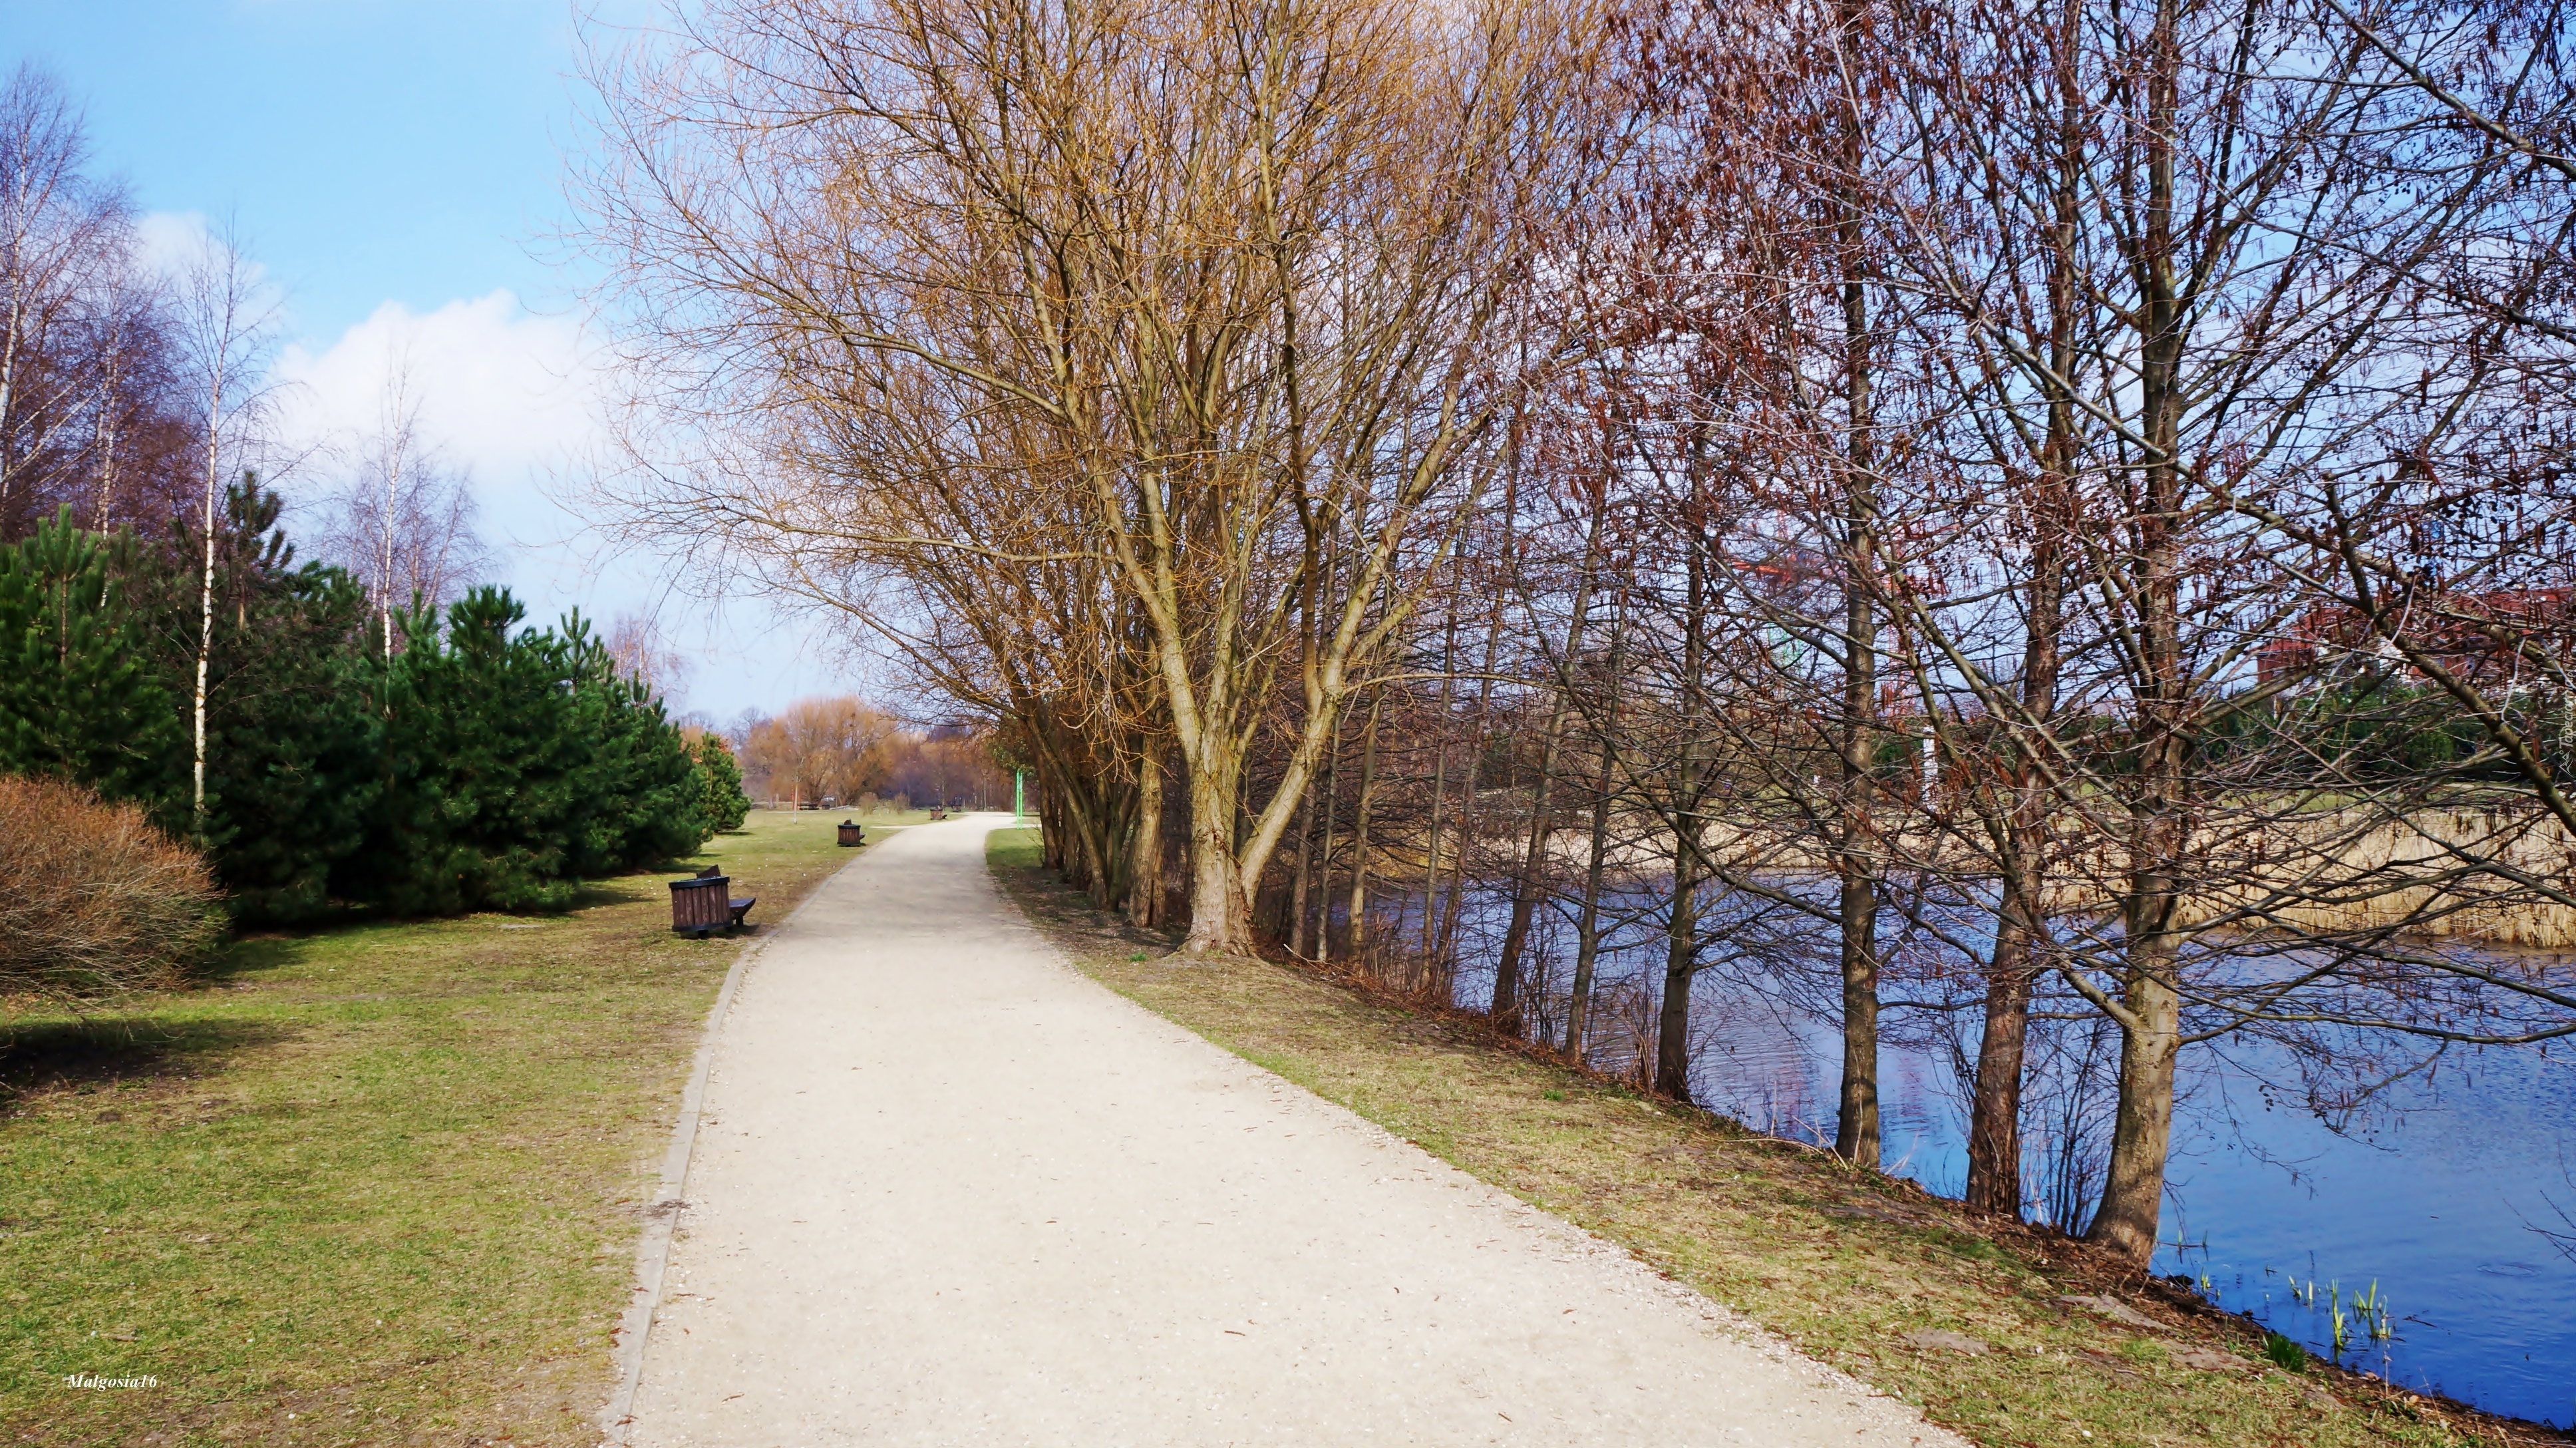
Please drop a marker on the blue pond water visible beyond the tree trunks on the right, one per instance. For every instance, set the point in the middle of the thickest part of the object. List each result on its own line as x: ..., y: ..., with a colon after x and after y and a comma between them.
x: 2420, y: 1215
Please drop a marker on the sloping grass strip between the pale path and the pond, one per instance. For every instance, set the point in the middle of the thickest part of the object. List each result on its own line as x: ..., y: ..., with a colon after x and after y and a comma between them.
x: 1841, y: 1264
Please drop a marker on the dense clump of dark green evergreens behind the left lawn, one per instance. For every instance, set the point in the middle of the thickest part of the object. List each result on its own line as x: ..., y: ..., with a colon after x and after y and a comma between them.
x: 486, y: 767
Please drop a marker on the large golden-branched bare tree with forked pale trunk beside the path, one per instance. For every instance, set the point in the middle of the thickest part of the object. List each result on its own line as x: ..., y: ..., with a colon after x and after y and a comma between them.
x: 1158, y: 241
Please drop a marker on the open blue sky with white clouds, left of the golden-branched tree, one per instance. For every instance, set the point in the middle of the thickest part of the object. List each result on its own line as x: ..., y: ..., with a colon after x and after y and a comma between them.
x: 395, y: 166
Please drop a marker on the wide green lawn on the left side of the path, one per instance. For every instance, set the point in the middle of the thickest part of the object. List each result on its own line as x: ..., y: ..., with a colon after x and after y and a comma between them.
x: 359, y: 1186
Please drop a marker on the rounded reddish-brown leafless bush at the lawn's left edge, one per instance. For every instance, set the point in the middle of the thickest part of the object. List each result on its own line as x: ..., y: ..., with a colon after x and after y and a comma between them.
x: 94, y: 900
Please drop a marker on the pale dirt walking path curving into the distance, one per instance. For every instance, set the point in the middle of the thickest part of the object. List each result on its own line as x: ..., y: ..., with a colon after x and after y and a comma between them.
x: 949, y: 1192
